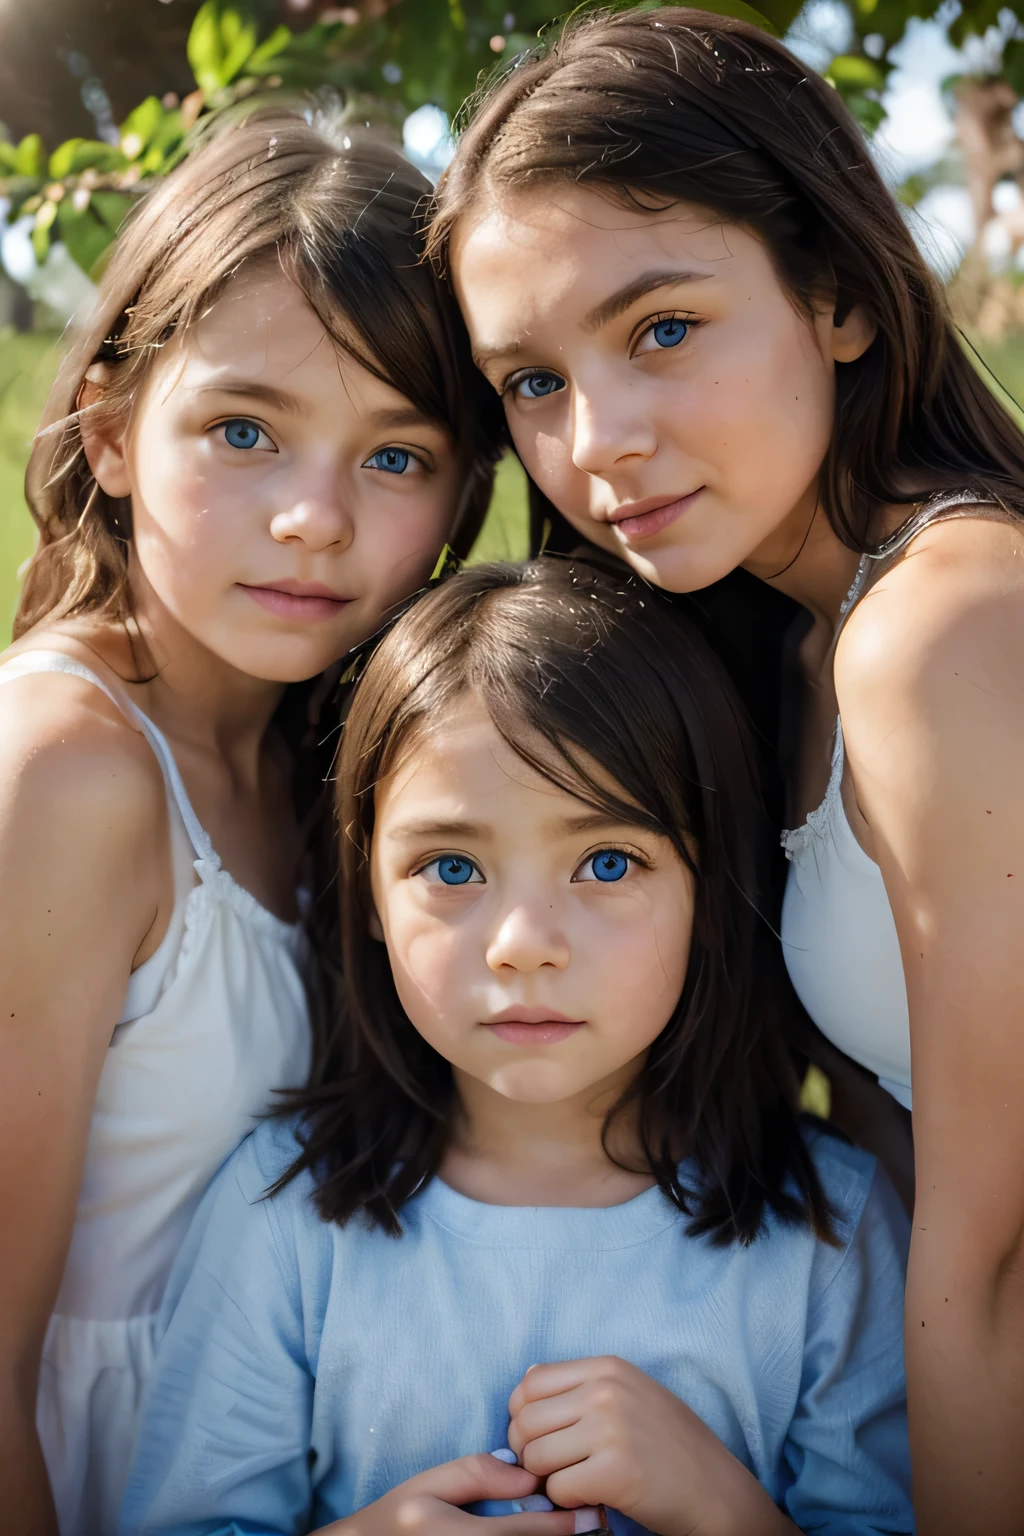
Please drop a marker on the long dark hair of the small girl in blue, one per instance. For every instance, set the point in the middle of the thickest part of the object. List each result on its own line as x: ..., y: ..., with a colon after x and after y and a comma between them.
x: 575, y: 663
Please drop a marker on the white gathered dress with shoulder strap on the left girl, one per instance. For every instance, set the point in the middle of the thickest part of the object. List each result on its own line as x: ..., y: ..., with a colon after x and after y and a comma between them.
x: 213, y: 1024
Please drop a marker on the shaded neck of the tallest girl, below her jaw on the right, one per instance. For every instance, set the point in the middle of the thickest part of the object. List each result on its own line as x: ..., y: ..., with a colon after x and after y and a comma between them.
x: 808, y: 561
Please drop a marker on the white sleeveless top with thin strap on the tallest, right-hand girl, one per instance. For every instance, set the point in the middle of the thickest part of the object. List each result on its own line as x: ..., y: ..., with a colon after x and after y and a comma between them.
x: 837, y: 927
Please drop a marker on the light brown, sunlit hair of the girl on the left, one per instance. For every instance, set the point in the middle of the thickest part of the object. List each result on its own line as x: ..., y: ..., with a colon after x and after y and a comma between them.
x: 343, y: 214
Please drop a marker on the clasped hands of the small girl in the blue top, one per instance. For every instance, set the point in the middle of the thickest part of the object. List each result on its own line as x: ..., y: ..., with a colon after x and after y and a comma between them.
x: 590, y: 1432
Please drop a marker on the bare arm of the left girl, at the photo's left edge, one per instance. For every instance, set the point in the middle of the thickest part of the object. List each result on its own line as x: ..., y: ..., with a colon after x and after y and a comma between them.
x: 81, y: 807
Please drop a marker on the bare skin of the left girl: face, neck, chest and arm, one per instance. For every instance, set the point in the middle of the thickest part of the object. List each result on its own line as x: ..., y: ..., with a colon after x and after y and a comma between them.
x: 283, y: 500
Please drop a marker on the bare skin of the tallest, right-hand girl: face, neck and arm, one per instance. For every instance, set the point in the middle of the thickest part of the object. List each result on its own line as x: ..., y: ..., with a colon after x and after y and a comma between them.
x: 702, y: 409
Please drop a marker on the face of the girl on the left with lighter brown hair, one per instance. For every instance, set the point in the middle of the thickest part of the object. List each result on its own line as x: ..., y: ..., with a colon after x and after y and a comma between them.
x: 283, y: 498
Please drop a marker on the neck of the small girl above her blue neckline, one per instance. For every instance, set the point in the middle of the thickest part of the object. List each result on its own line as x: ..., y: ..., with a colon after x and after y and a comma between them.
x: 521, y: 1154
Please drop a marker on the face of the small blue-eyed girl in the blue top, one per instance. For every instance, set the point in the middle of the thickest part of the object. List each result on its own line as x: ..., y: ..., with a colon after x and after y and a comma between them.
x: 538, y: 947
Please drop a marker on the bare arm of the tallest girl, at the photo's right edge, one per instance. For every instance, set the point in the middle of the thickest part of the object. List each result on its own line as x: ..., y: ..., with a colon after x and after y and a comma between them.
x: 931, y: 683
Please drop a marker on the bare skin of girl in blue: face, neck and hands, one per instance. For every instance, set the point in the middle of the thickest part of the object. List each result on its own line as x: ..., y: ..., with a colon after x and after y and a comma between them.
x: 541, y: 948
